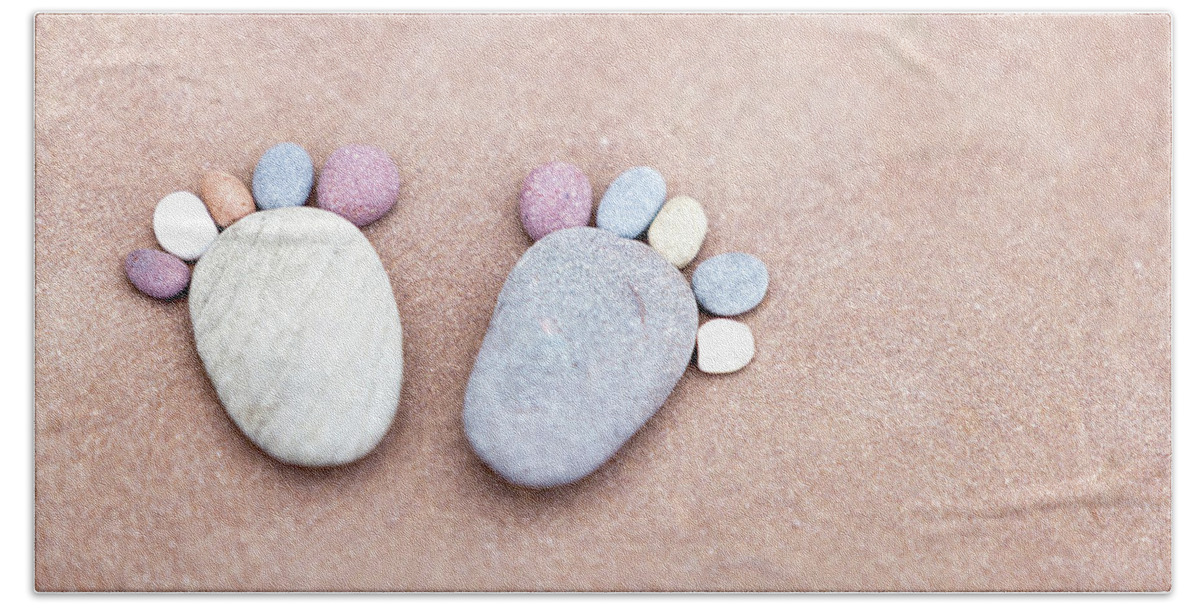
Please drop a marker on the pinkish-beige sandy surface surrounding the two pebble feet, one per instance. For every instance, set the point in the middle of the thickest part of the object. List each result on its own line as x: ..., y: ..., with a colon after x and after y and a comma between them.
x: 963, y: 380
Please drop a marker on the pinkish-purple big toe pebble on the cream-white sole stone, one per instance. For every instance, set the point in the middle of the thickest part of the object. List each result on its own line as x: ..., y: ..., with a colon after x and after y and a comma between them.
x: 359, y: 183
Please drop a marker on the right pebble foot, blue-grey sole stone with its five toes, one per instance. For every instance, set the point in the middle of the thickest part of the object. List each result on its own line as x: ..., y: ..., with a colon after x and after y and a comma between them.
x: 593, y: 329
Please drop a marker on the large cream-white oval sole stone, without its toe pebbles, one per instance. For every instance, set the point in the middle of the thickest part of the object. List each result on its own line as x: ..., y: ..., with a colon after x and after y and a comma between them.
x: 298, y: 329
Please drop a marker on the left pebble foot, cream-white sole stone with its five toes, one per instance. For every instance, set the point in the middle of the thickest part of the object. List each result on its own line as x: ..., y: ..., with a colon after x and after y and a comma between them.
x: 292, y: 310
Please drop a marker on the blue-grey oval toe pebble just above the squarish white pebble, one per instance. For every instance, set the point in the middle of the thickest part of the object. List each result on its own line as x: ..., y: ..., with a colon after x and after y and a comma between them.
x: 731, y: 284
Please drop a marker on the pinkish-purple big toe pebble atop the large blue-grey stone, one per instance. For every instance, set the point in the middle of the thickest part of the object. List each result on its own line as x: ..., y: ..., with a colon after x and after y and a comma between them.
x: 556, y: 196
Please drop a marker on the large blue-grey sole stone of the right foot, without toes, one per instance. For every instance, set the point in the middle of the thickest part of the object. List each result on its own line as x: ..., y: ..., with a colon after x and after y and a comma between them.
x: 590, y: 335
